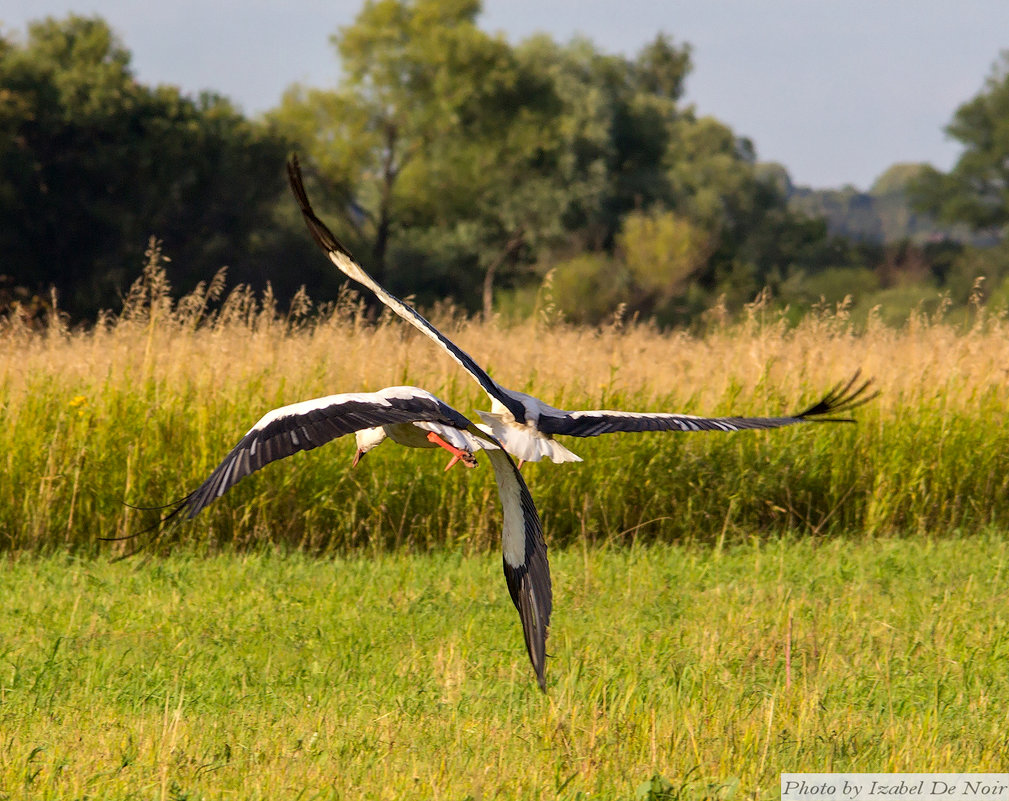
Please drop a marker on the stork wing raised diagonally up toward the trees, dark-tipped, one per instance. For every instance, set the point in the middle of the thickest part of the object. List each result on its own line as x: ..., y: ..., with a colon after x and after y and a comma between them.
x: 344, y: 260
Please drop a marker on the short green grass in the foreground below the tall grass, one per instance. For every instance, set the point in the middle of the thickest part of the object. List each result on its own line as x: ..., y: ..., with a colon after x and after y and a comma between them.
x: 263, y: 676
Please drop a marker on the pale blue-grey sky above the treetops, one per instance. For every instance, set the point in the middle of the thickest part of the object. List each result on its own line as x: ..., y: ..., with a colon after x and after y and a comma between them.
x: 835, y: 91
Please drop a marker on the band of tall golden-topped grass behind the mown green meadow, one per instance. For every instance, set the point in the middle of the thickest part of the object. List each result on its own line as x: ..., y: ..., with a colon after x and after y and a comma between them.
x: 143, y: 406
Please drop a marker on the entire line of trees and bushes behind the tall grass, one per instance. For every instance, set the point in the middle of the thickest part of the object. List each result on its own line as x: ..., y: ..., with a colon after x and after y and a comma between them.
x: 455, y: 165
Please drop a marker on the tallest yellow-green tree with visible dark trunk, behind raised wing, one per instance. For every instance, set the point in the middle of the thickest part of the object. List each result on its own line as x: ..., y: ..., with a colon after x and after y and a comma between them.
x: 416, y: 74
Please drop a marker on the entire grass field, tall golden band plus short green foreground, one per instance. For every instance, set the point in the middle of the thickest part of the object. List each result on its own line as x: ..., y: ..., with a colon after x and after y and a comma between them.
x: 727, y: 607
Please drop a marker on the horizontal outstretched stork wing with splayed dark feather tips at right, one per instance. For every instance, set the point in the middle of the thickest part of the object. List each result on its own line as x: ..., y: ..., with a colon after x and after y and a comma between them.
x: 842, y: 399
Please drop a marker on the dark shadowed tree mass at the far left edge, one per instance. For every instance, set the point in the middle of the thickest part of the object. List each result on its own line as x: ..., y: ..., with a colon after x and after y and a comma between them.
x: 92, y: 164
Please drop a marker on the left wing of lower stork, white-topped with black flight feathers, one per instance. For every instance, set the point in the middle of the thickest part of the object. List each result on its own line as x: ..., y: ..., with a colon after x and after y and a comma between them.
x: 304, y: 426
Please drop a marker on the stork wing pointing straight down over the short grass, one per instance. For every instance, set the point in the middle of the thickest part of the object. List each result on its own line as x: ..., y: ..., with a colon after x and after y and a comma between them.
x: 527, y: 570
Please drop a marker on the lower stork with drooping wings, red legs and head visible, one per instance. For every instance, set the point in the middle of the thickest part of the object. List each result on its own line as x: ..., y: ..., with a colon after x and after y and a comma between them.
x: 417, y: 419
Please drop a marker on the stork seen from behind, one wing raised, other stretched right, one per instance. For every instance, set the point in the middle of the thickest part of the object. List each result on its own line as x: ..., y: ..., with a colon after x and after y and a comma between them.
x: 524, y: 425
